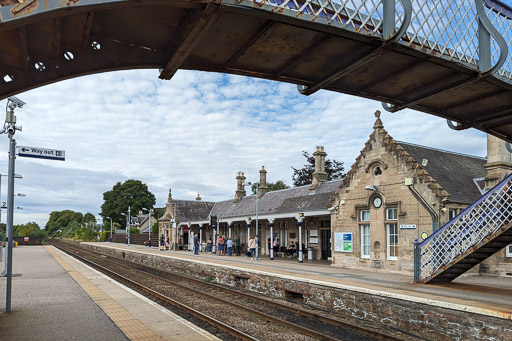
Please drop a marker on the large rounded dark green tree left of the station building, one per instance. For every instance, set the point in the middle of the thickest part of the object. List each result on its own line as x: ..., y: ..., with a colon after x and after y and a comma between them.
x: 133, y: 194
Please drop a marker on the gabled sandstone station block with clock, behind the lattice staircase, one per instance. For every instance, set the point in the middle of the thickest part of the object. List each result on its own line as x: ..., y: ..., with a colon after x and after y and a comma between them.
x: 397, y: 192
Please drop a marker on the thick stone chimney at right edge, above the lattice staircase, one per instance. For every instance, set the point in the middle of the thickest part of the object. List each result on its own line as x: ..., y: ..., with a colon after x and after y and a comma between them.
x: 498, y: 161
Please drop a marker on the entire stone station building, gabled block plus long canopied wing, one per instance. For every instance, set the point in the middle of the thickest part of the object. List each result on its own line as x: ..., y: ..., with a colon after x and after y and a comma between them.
x: 394, y: 193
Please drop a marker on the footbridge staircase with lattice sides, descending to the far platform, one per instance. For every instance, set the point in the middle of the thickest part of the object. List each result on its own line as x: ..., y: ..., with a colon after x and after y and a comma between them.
x: 481, y: 230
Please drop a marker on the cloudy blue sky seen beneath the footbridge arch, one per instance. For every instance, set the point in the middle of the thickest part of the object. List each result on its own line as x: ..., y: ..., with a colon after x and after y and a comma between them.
x: 192, y: 134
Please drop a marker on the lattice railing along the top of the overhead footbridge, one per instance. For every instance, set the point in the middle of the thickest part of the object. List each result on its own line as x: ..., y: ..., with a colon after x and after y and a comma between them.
x: 475, y: 33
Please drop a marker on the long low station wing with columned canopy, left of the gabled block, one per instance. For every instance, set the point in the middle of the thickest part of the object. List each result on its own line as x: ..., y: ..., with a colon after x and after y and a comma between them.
x: 297, y: 214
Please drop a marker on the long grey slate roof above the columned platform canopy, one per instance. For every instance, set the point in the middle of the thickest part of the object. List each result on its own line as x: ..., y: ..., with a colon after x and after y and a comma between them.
x: 291, y: 200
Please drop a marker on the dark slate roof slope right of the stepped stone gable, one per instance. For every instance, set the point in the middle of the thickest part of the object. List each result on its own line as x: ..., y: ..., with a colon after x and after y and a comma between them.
x: 454, y: 172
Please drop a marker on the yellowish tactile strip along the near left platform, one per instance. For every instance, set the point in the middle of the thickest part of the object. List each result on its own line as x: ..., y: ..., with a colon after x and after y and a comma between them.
x: 131, y: 327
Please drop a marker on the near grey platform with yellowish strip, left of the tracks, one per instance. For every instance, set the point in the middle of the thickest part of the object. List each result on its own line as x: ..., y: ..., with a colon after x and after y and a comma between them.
x: 55, y: 297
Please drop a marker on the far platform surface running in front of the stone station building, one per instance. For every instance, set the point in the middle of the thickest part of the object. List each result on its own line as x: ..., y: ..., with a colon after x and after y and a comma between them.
x: 485, y: 295
